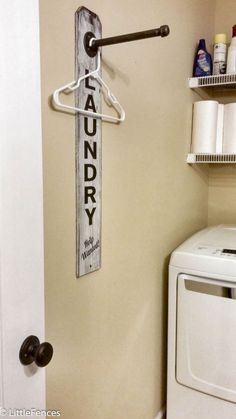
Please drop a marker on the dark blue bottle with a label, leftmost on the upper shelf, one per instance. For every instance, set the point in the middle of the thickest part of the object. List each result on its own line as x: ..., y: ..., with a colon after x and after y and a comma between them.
x: 203, y: 62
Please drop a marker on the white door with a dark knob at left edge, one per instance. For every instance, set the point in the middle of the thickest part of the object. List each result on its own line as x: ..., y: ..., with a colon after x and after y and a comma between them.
x: 21, y: 204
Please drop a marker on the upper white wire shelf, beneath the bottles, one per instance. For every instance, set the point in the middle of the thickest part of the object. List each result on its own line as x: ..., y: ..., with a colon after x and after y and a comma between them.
x: 224, y: 80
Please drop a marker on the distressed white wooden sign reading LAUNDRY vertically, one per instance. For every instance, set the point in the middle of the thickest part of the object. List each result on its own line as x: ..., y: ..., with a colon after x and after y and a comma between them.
x: 88, y: 150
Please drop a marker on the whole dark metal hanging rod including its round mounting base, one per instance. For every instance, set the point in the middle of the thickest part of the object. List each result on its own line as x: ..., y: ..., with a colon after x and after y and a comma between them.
x: 91, y: 45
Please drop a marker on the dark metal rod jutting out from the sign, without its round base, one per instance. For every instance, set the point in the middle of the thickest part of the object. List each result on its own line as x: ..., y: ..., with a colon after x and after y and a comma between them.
x: 162, y: 31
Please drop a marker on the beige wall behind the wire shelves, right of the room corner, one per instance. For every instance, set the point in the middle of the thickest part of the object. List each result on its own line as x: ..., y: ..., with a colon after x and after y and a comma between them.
x: 222, y: 179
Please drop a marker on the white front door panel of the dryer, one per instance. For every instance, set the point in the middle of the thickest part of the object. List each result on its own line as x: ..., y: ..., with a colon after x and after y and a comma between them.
x: 206, y: 336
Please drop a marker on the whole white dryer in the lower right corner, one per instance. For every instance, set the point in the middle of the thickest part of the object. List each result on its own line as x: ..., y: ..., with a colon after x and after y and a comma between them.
x: 201, y: 380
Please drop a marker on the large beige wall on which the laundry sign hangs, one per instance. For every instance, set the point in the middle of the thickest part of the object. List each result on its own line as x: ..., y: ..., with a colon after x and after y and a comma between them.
x: 109, y: 328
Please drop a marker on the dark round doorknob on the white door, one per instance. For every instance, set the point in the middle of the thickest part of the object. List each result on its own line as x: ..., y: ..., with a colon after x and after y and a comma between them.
x: 33, y: 351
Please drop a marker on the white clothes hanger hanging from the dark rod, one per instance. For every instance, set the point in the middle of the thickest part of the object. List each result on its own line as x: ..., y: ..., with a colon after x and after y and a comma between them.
x: 109, y: 96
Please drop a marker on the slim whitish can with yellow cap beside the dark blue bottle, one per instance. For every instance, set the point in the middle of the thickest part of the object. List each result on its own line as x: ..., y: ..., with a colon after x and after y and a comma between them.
x: 220, y: 50
